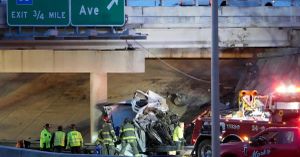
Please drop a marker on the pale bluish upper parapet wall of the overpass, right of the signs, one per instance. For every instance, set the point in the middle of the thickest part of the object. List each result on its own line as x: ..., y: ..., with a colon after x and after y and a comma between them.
x: 200, y: 17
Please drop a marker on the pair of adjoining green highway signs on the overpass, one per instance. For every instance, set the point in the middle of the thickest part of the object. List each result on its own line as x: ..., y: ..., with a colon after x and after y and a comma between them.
x: 65, y: 12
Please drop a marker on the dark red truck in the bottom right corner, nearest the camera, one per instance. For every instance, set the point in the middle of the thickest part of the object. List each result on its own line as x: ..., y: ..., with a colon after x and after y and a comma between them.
x: 272, y: 142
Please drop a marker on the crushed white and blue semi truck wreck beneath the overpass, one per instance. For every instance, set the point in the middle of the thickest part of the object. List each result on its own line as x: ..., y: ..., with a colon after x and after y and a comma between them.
x: 150, y: 114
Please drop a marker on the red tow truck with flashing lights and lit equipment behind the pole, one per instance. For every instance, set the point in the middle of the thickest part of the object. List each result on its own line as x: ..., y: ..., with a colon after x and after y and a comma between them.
x: 256, y: 113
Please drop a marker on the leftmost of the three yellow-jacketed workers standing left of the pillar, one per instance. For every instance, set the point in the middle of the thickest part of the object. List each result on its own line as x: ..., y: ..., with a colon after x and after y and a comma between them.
x: 45, y: 138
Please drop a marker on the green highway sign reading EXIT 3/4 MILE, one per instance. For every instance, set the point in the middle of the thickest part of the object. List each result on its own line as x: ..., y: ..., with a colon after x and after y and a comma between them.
x: 38, y: 12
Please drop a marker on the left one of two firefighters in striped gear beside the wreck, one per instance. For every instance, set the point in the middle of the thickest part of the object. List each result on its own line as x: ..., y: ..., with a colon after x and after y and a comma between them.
x: 106, y: 138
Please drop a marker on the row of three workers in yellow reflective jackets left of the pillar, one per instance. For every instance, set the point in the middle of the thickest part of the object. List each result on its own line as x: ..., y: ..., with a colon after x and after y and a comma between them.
x: 59, y: 140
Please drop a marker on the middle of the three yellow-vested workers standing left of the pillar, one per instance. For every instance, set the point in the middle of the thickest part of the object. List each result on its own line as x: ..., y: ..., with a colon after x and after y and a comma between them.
x: 59, y: 139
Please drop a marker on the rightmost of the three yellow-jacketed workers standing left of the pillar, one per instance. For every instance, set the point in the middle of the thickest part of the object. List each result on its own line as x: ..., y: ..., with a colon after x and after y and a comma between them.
x: 74, y: 140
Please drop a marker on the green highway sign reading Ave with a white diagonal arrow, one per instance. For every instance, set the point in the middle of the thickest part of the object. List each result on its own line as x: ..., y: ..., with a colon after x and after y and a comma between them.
x: 97, y: 12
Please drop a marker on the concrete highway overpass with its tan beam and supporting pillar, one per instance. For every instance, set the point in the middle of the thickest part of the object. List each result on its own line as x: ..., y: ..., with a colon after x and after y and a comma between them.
x: 172, y: 32
